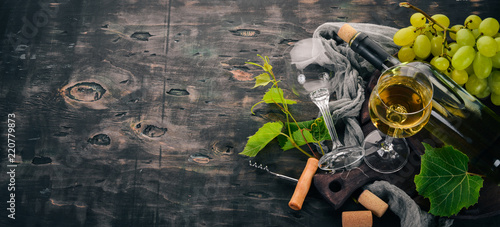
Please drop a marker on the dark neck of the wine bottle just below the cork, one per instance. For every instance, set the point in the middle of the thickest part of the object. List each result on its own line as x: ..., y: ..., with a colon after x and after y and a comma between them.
x: 372, y: 52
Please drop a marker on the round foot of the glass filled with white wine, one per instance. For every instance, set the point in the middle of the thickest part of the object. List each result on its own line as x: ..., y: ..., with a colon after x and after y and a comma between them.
x: 385, y: 160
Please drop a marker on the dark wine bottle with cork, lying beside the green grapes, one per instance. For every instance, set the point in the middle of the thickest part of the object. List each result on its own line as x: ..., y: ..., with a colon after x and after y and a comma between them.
x: 457, y: 119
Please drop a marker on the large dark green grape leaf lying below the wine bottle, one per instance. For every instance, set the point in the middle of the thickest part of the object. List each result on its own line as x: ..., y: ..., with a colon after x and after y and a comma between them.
x: 444, y: 180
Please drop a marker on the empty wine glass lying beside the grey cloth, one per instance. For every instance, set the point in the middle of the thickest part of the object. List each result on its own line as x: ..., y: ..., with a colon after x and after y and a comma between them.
x: 308, y: 78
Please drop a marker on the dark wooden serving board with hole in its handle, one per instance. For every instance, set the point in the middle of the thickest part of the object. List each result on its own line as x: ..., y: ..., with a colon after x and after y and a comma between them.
x: 339, y: 187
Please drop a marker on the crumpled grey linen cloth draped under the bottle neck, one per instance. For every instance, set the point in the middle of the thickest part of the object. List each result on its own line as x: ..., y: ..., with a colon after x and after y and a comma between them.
x: 351, y: 75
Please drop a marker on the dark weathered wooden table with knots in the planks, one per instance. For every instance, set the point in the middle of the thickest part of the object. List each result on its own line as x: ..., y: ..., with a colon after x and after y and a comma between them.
x: 132, y: 113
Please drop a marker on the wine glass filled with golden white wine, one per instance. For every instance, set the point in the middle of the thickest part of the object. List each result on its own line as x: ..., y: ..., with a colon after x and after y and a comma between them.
x: 400, y: 105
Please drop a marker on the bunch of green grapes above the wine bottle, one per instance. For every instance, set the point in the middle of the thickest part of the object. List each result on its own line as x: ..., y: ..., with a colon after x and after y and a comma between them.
x: 468, y: 53
